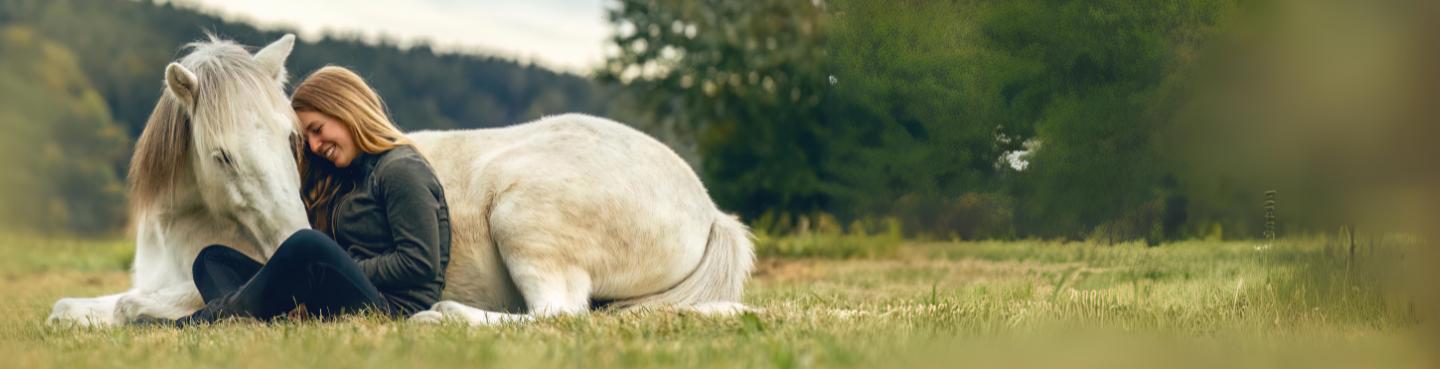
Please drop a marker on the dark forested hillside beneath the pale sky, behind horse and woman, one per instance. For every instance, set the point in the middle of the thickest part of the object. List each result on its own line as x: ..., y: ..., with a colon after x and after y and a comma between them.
x: 123, y: 48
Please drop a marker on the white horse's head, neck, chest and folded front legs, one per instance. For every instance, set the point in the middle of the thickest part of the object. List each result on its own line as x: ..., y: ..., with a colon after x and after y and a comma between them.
x: 214, y: 165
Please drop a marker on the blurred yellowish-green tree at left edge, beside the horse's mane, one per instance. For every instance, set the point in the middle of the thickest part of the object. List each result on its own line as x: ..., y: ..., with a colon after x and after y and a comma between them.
x: 61, y: 145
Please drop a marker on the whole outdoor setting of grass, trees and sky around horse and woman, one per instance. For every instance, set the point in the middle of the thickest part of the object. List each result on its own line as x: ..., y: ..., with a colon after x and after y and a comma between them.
x: 1218, y: 184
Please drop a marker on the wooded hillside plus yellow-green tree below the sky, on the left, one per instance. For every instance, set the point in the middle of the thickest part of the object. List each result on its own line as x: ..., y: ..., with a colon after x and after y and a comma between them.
x: 78, y: 79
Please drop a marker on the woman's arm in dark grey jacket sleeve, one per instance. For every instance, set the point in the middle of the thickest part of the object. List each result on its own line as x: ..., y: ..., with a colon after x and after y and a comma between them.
x: 411, y: 194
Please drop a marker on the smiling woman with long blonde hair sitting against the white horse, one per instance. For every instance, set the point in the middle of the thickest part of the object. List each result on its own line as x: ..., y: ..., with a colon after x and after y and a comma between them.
x: 381, y: 237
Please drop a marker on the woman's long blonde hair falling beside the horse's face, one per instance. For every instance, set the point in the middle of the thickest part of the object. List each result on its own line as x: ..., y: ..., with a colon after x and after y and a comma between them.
x: 346, y: 97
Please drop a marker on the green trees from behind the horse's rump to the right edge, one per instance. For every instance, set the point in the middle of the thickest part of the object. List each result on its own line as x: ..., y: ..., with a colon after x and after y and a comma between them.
x: 1104, y: 120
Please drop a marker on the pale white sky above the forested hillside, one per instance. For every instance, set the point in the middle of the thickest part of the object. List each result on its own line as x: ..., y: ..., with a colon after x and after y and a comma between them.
x: 564, y: 35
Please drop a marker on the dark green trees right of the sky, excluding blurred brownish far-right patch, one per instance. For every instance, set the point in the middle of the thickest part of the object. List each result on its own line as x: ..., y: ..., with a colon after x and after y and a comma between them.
x: 924, y: 103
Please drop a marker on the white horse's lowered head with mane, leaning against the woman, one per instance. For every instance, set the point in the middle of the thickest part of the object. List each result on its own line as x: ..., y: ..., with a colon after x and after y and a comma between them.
x: 222, y: 142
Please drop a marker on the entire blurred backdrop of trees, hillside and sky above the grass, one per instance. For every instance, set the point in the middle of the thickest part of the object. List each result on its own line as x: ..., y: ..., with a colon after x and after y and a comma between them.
x: 1101, y: 120
